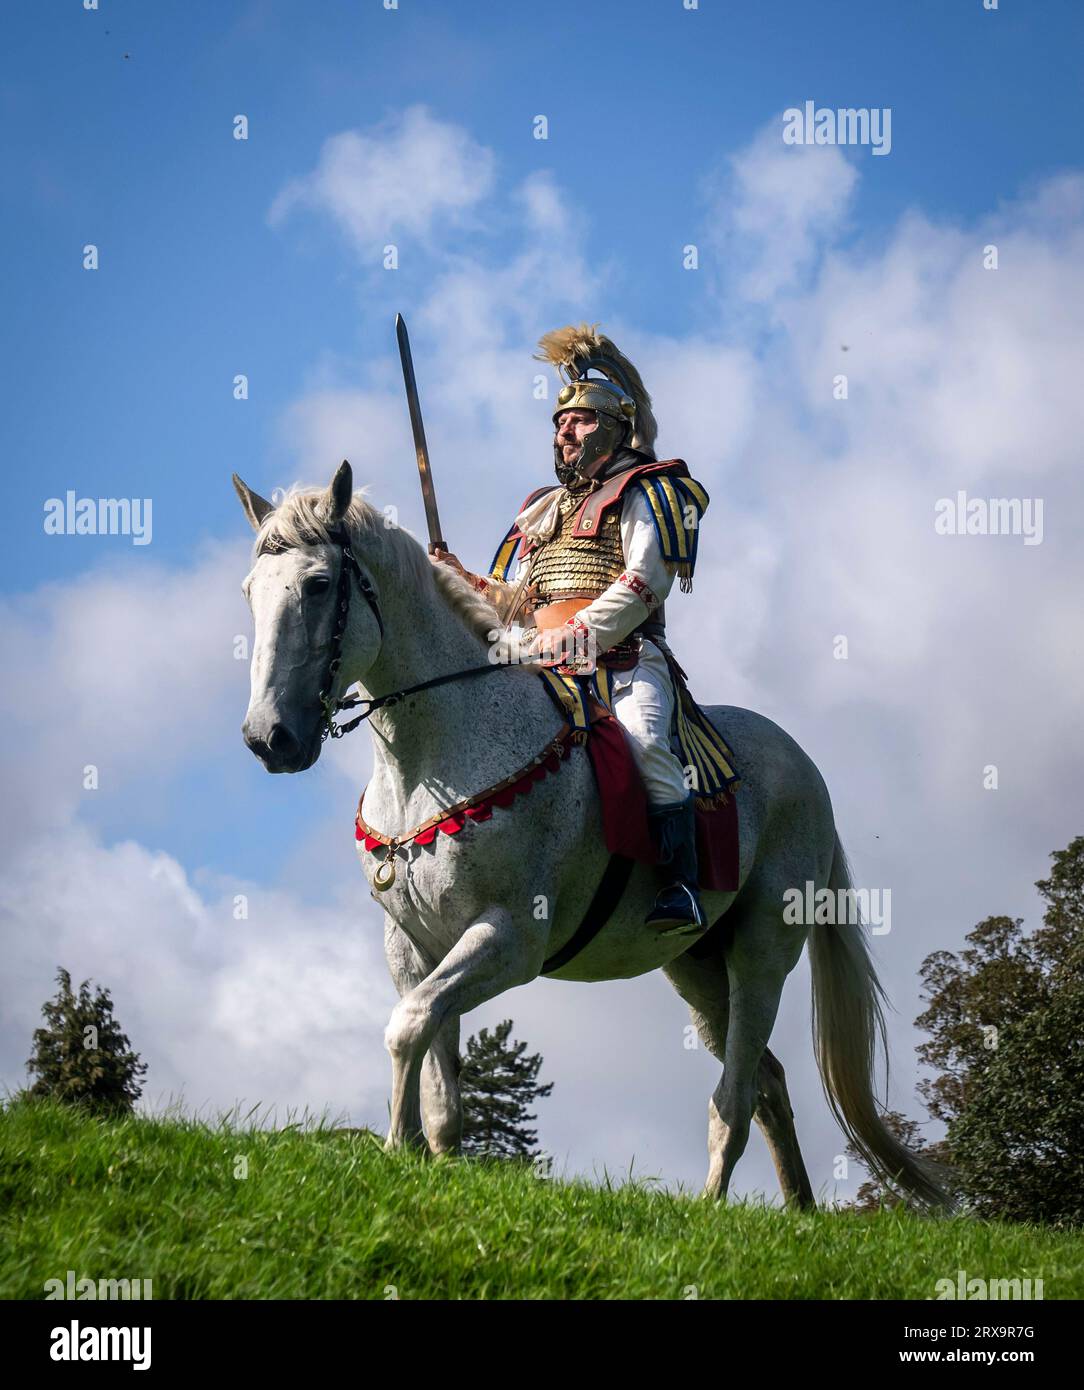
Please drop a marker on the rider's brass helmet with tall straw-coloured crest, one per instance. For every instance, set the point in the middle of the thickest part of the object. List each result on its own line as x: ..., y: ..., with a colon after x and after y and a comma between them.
x: 618, y: 397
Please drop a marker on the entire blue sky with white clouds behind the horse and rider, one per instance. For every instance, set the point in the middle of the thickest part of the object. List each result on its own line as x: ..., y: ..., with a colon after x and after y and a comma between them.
x: 119, y: 383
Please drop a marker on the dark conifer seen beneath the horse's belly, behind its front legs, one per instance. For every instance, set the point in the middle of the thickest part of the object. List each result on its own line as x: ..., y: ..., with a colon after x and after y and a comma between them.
x: 498, y: 1086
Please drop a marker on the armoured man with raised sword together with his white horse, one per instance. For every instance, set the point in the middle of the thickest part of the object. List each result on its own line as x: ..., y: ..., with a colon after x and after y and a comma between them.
x: 600, y: 553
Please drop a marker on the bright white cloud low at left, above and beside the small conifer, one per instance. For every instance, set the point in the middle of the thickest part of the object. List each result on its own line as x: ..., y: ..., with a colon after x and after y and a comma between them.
x: 284, y: 1008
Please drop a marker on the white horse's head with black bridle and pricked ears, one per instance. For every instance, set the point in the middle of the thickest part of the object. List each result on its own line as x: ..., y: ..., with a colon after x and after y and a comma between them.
x: 295, y: 590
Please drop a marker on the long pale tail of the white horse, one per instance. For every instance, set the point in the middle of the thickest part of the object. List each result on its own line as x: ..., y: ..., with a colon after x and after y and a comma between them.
x: 847, y: 1024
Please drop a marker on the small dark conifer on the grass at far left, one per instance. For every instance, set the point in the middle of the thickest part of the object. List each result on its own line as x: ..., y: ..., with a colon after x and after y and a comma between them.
x: 83, y: 1057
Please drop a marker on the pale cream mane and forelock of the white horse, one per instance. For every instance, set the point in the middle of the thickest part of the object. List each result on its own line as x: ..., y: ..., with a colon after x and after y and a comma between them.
x: 297, y: 522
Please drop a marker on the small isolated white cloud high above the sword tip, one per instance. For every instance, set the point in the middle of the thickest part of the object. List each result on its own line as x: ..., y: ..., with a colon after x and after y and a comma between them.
x: 402, y: 177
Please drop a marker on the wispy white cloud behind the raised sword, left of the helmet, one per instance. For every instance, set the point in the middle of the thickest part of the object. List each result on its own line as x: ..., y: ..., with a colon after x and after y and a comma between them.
x: 472, y: 338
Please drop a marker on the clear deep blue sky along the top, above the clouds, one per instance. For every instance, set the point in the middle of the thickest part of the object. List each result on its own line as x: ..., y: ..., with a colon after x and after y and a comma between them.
x: 124, y: 376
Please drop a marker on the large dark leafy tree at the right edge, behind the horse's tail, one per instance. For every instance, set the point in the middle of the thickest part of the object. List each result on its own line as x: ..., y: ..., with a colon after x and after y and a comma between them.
x: 1007, y: 1025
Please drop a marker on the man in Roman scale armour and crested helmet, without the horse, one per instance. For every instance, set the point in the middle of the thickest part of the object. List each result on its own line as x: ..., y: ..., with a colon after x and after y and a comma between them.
x: 594, y: 558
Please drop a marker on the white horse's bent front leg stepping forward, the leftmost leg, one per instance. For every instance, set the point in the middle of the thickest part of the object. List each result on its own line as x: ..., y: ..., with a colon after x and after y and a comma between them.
x: 494, y: 954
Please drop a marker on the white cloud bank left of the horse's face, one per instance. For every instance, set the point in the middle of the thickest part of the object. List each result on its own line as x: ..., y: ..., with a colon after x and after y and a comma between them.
x: 129, y: 669
